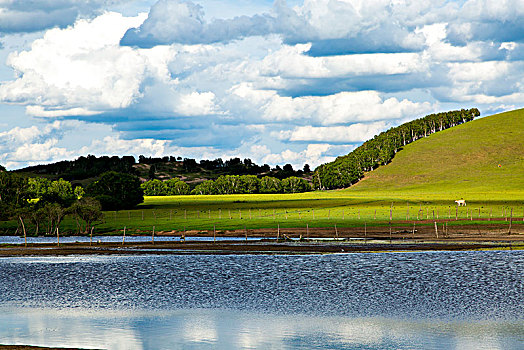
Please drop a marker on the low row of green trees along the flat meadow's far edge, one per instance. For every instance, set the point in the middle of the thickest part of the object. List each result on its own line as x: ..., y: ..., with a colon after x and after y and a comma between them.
x: 228, y: 184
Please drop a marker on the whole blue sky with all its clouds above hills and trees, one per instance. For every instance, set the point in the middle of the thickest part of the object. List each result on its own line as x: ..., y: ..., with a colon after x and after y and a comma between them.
x: 275, y: 81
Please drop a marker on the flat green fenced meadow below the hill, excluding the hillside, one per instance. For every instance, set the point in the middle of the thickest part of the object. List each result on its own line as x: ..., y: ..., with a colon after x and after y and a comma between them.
x: 317, y: 209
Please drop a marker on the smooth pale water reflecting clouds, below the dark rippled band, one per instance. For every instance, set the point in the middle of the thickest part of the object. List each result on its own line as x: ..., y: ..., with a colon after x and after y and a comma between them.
x: 229, y: 329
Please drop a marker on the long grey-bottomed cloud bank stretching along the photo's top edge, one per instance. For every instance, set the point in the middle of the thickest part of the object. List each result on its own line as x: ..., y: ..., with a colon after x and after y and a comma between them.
x: 334, y: 26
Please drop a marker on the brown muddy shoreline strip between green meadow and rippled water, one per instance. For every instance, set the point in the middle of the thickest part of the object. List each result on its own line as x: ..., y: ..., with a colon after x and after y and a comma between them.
x: 259, y: 247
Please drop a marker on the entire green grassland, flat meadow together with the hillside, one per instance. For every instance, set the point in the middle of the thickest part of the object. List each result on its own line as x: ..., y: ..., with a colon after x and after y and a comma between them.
x: 420, y: 185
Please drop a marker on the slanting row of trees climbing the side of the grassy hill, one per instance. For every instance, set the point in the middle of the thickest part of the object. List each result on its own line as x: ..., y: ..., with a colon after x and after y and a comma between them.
x: 349, y: 169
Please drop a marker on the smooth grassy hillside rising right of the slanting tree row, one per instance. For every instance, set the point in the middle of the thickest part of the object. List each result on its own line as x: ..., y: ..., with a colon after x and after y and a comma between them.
x: 483, y: 159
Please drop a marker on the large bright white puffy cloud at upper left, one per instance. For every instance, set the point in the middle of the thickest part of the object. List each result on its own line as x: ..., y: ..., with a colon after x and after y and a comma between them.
x: 78, y: 67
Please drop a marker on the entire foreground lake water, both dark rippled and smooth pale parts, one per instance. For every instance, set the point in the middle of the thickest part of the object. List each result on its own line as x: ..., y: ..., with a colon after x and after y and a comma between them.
x: 437, y: 300
